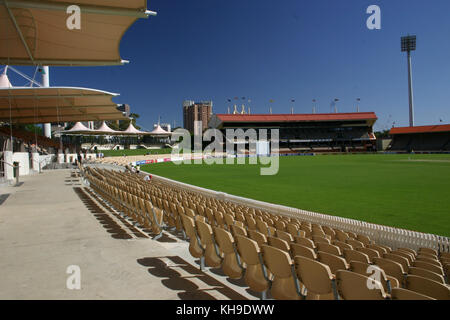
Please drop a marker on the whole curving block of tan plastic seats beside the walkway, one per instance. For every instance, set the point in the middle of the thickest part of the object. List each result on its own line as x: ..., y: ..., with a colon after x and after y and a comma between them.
x: 283, y: 256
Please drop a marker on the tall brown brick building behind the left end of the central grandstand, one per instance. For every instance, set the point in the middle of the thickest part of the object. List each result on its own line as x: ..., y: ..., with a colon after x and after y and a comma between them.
x: 196, y: 111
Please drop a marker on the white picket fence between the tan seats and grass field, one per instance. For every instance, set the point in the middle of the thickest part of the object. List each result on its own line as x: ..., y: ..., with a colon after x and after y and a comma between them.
x: 384, y: 235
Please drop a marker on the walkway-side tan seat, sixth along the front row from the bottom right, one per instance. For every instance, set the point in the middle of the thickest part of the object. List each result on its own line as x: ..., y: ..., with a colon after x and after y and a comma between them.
x: 231, y: 265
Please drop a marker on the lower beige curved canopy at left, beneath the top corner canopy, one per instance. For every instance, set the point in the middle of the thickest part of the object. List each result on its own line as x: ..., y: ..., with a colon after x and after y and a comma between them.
x: 57, y: 104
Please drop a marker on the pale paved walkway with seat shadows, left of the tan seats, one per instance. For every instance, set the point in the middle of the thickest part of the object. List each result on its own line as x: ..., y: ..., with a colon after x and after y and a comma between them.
x: 45, y: 227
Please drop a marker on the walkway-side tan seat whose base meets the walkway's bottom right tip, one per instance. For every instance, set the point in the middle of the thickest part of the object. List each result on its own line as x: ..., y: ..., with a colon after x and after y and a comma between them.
x: 256, y: 276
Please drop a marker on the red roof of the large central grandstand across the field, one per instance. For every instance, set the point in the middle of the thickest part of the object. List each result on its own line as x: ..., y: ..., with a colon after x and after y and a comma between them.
x: 316, y: 117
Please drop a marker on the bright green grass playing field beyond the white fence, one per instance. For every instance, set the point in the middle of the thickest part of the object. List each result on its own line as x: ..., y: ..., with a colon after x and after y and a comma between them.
x: 405, y: 191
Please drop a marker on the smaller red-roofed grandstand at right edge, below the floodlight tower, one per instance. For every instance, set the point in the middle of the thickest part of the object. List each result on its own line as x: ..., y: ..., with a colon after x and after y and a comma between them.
x: 421, y: 138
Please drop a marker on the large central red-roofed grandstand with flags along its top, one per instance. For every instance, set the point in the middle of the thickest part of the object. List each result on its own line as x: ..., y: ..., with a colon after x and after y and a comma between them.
x: 328, y: 132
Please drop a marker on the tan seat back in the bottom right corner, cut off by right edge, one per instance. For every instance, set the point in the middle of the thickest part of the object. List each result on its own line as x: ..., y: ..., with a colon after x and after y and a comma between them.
x: 427, y: 287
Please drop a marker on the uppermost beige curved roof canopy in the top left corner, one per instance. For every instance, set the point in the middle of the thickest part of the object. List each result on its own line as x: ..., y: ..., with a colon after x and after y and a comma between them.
x: 37, y: 32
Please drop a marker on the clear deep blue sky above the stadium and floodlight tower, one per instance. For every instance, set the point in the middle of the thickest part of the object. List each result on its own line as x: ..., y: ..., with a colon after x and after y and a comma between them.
x: 279, y: 49
